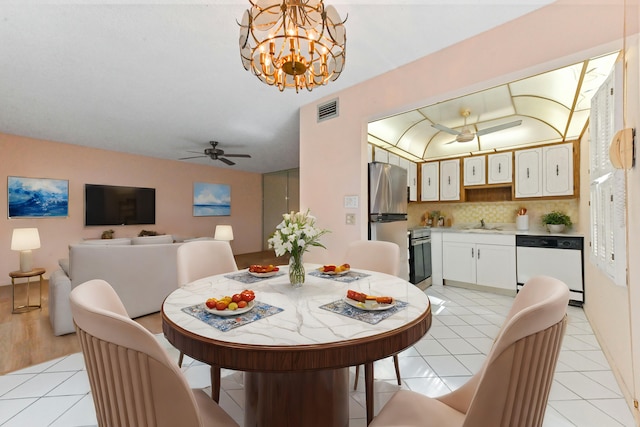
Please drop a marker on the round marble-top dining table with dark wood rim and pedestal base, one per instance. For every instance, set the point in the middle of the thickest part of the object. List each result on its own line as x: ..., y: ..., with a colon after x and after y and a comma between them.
x: 296, y: 345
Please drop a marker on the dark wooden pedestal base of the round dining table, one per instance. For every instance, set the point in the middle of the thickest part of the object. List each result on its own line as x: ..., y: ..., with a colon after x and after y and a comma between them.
x: 297, y: 399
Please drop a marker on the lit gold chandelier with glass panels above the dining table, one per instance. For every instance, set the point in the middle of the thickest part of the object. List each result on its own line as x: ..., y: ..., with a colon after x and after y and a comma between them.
x: 292, y: 43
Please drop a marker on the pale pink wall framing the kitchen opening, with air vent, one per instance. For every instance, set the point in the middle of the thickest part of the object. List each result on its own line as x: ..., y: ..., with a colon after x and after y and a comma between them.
x: 562, y: 33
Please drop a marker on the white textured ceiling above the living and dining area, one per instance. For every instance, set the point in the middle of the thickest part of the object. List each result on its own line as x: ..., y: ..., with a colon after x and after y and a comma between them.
x: 163, y: 79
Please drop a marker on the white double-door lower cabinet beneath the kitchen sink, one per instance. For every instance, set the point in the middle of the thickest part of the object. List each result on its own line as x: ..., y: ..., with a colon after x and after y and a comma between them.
x: 481, y: 259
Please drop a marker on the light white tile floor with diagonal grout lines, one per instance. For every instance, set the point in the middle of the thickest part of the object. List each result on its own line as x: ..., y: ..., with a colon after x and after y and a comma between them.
x: 584, y: 392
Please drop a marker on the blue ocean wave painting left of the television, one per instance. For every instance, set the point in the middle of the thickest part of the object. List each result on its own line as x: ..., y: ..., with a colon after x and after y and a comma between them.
x: 38, y: 197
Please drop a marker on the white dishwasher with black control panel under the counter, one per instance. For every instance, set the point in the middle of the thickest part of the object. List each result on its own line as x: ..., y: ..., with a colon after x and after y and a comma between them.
x: 556, y: 256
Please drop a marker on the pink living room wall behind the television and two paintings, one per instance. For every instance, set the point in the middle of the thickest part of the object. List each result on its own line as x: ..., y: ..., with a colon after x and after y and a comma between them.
x: 173, y: 181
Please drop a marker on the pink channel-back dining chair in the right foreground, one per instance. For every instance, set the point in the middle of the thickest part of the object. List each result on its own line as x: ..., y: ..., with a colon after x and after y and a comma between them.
x: 512, y: 387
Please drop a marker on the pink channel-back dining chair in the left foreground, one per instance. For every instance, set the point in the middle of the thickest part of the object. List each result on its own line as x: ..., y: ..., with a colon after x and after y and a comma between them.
x: 133, y: 380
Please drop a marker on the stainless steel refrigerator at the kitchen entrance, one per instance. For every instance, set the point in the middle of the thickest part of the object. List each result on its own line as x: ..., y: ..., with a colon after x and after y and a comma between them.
x: 388, y: 209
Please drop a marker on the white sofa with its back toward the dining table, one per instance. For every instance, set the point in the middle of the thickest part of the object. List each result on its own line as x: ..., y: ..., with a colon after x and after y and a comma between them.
x: 141, y: 270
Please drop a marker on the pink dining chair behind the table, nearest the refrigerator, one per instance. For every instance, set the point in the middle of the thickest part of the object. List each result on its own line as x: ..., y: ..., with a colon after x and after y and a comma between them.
x: 383, y: 257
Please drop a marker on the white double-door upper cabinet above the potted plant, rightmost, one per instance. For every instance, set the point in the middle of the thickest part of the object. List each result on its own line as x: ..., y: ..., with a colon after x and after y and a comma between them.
x: 546, y: 171
